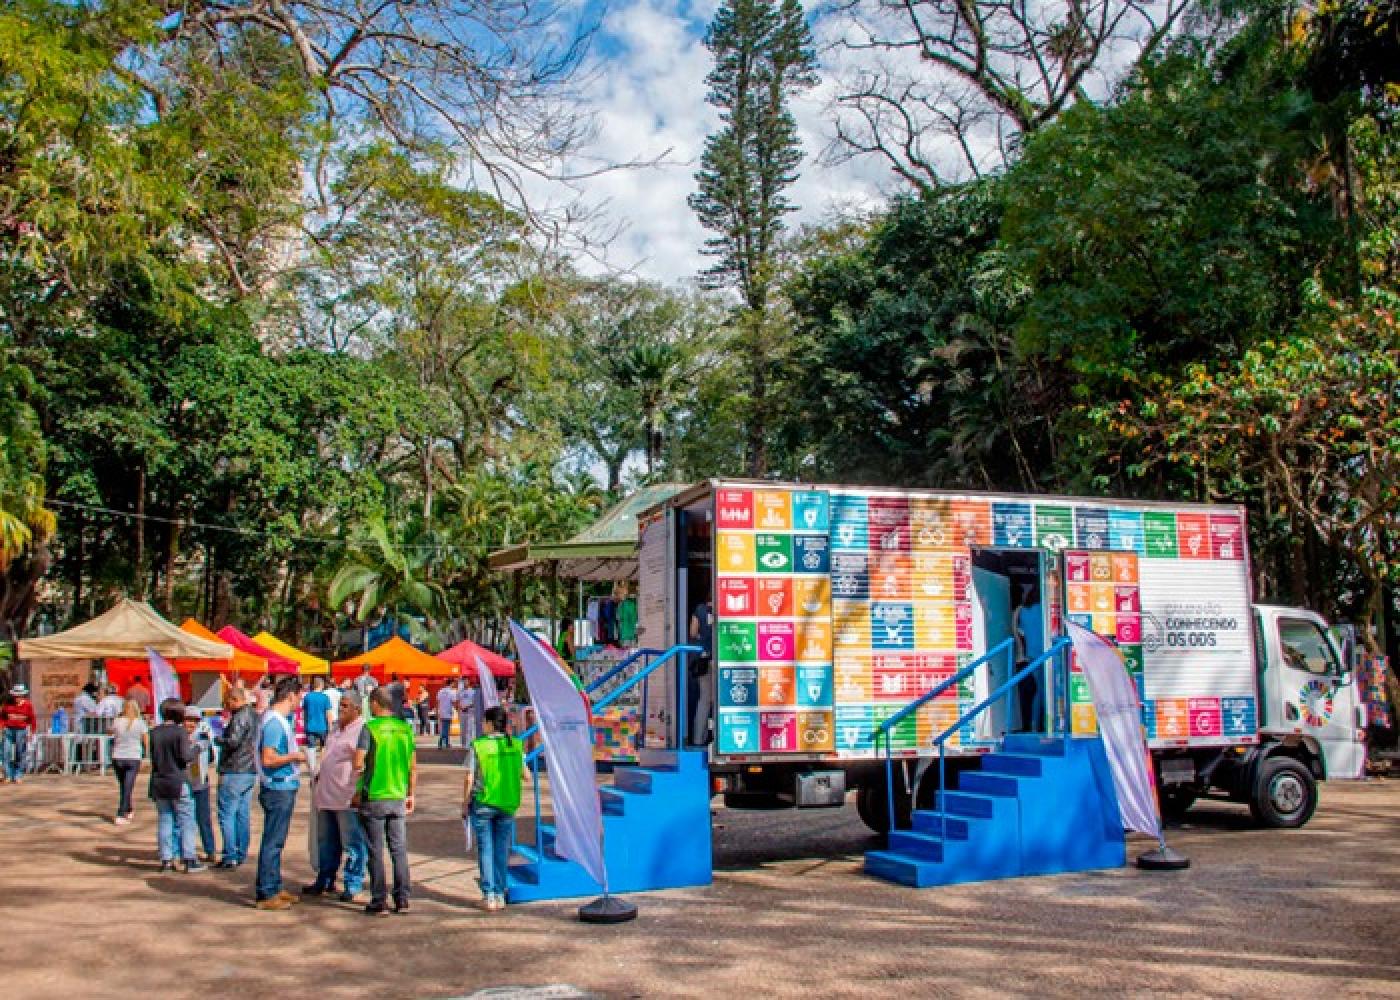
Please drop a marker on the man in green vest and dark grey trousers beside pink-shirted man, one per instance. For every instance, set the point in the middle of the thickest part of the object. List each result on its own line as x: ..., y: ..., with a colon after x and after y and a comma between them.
x: 384, y: 796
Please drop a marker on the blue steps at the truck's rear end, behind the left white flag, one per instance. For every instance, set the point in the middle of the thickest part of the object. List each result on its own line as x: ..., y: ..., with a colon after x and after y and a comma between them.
x: 656, y: 834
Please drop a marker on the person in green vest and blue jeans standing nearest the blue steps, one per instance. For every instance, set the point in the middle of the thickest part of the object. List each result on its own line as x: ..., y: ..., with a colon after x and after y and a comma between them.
x: 491, y: 798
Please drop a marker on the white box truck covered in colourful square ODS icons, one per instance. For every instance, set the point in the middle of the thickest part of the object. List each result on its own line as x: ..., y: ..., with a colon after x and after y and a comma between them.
x: 831, y: 609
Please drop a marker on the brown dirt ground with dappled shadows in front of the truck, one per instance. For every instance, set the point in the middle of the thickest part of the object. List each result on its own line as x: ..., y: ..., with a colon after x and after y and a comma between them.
x: 1301, y: 914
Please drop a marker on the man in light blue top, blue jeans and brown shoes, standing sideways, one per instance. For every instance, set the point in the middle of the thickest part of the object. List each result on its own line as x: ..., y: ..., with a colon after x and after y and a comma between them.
x: 278, y: 763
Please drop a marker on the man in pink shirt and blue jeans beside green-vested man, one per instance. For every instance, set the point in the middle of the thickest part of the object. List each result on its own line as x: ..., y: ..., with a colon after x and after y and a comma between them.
x: 339, y: 830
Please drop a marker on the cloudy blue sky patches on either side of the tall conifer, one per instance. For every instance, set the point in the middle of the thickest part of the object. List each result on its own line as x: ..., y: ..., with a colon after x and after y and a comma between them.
x: 646, y: 86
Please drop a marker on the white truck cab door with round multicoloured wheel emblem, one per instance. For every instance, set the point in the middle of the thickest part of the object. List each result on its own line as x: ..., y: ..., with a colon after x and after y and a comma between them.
x: 1314, y: 697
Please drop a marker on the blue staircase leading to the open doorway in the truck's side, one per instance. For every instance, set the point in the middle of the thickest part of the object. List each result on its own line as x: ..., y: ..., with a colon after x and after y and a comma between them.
x: 1039, y: 806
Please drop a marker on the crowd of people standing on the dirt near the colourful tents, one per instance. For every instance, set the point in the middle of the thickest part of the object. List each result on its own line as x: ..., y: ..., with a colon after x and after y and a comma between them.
x: 360, y: 753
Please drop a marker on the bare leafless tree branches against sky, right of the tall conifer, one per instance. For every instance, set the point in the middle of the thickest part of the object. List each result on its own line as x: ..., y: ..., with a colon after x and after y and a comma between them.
x: 948, y: 90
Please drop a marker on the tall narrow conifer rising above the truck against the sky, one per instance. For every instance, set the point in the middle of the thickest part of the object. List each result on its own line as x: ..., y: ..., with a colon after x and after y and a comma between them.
x: 762, y: 58
